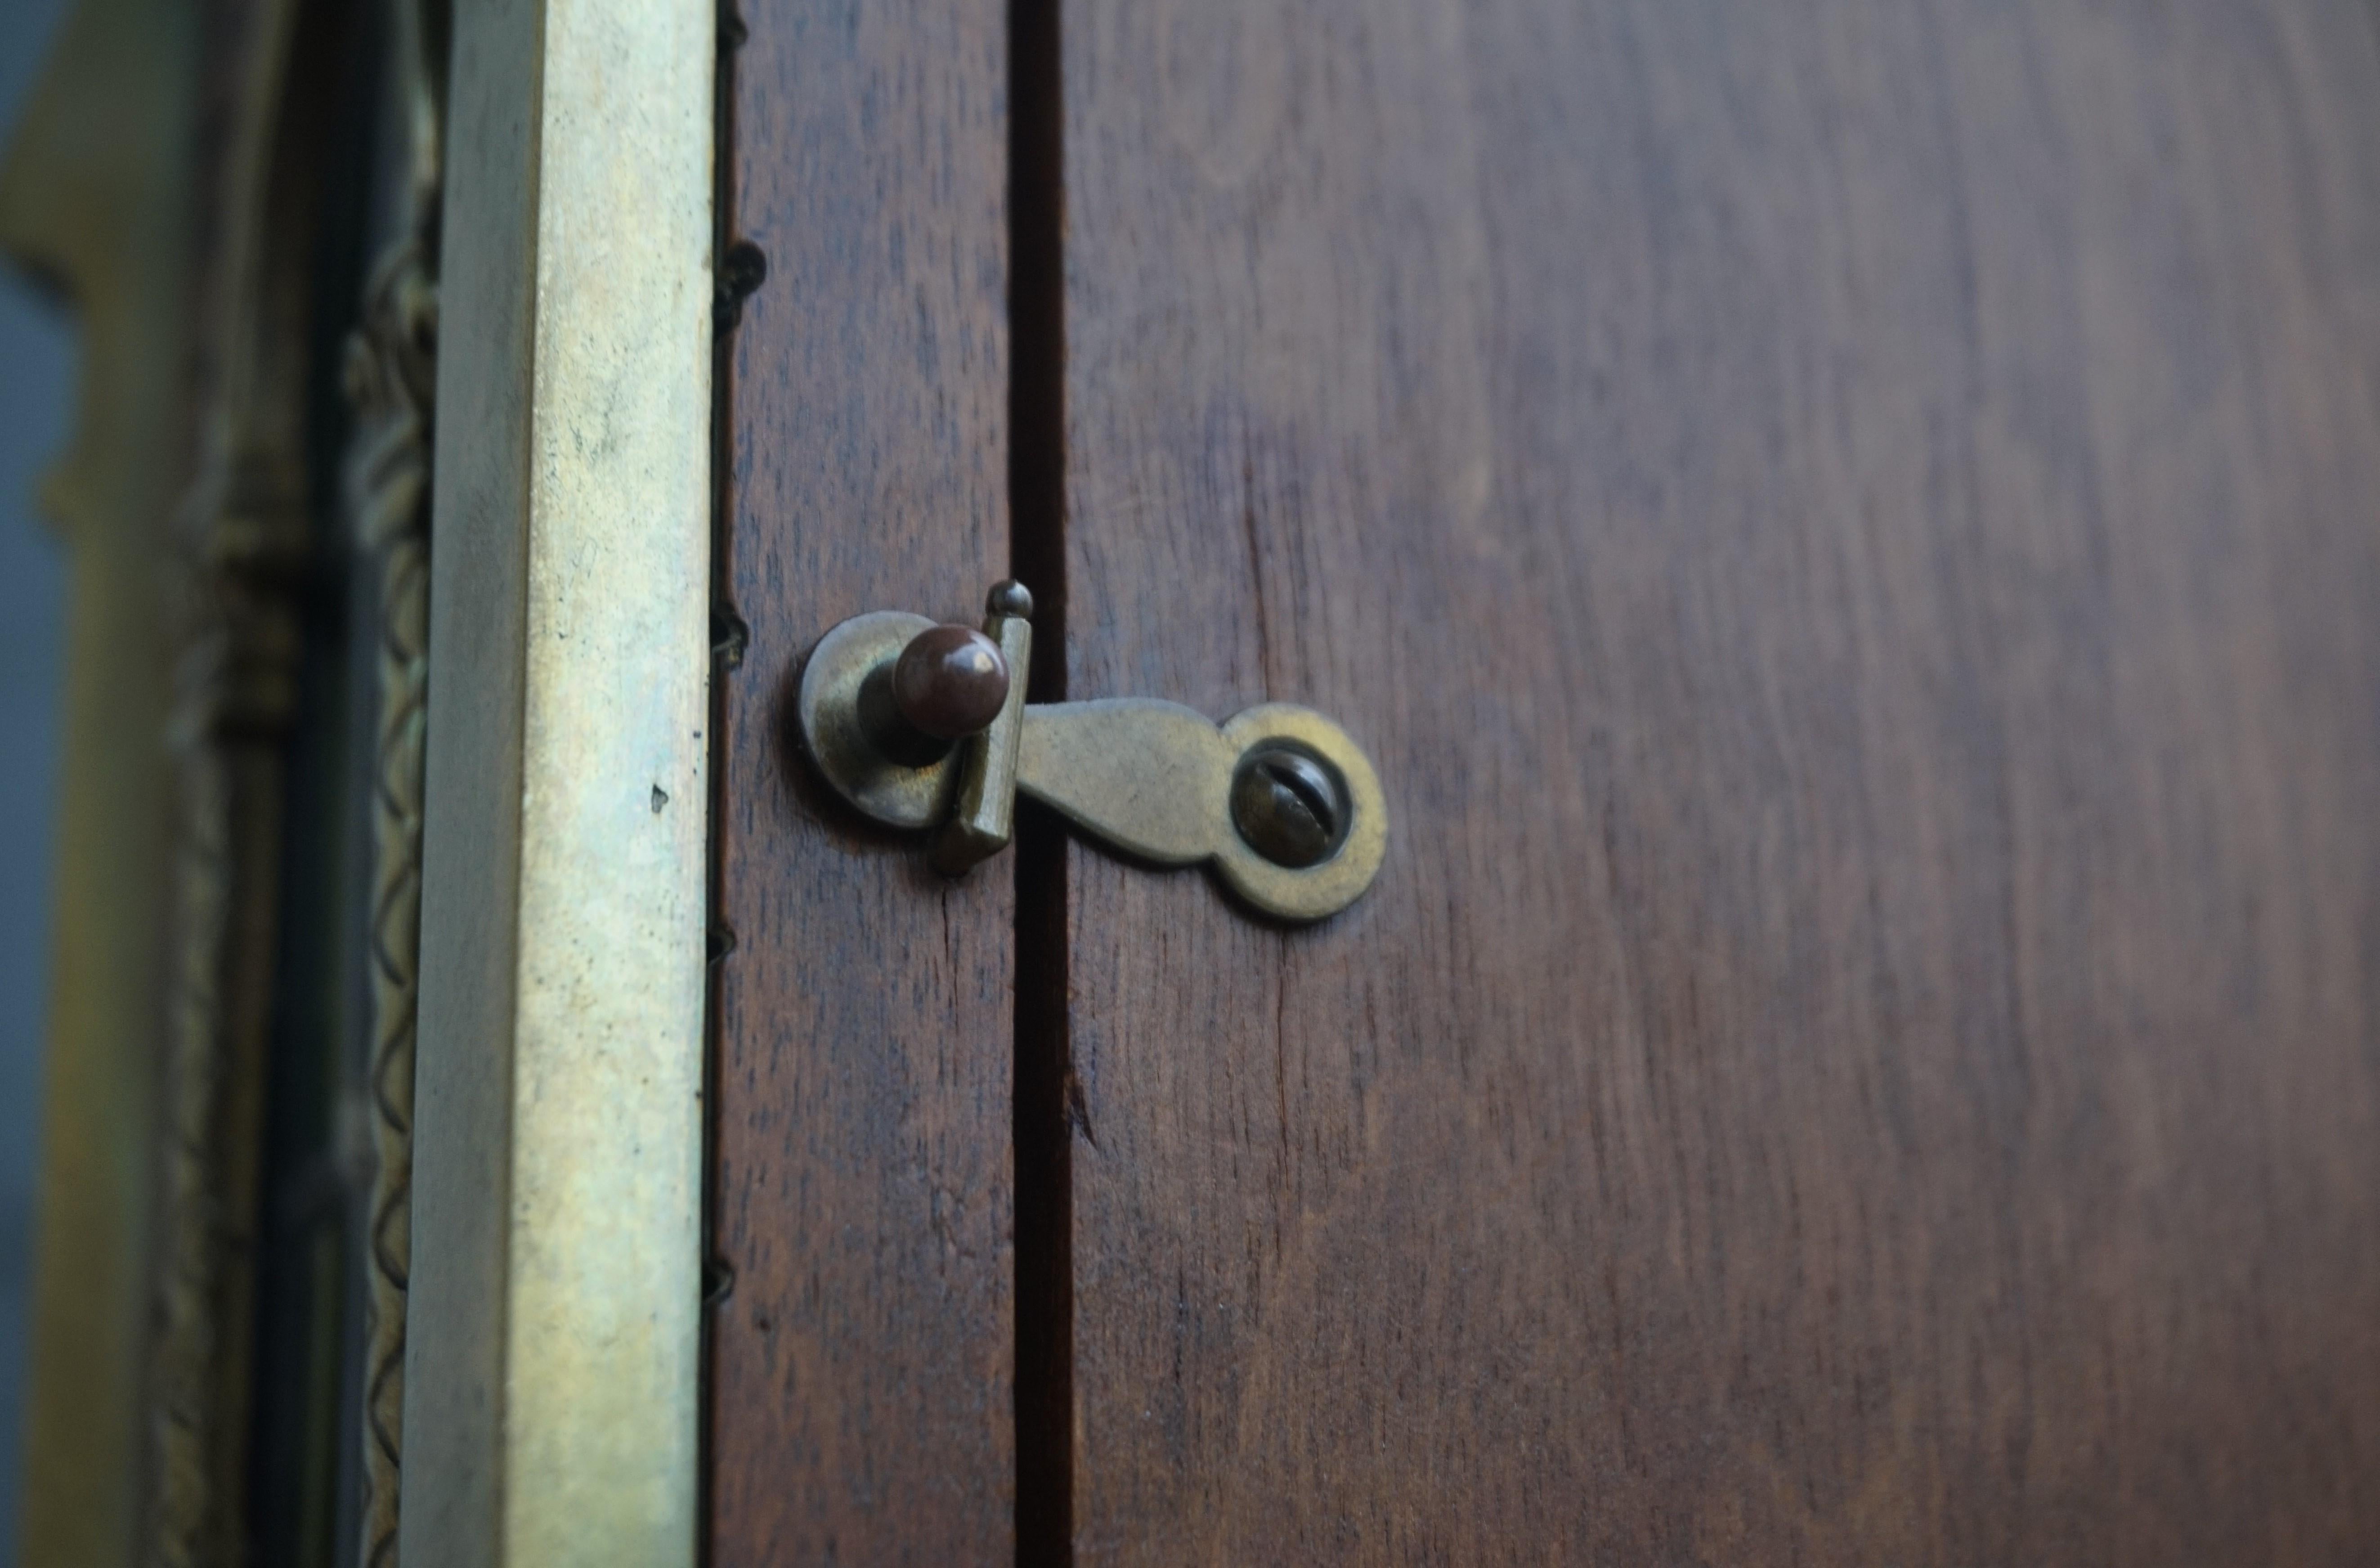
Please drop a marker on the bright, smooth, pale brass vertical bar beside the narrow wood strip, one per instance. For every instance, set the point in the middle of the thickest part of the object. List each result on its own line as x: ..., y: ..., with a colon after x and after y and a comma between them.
x: 553, y: 1324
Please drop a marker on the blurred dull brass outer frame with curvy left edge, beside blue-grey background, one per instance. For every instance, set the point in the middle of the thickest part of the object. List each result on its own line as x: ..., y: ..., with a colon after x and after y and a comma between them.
x: 94, y: 199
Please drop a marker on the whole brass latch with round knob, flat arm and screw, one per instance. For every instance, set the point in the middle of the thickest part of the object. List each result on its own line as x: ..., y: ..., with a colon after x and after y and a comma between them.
x: 927, y: 727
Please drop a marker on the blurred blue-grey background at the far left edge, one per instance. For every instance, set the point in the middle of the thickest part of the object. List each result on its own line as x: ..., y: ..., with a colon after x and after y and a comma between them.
x: 37, y: 410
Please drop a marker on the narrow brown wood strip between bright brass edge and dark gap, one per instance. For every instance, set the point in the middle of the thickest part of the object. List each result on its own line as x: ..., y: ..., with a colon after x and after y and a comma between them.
x: 863, y: 1326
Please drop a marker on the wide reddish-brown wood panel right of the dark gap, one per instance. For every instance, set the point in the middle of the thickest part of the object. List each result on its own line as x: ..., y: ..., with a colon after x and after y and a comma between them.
x: 1850, y: 532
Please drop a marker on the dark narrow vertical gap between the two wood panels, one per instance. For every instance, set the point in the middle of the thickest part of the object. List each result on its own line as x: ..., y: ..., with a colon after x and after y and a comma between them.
x: 1039, y: 560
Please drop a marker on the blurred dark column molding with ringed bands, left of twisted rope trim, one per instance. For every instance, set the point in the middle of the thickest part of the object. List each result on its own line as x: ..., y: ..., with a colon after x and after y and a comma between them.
x: 244, y: 539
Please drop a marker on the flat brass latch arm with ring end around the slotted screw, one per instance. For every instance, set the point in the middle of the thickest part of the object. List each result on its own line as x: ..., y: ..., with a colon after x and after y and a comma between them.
x: 1153, y: 779
